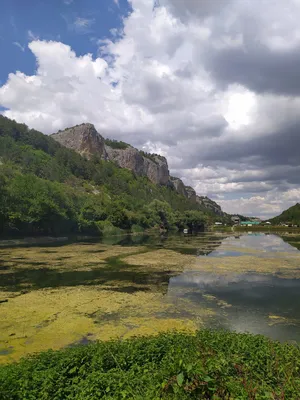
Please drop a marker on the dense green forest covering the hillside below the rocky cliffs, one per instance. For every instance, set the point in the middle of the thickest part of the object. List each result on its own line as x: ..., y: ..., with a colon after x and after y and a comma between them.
x: 46, y: 188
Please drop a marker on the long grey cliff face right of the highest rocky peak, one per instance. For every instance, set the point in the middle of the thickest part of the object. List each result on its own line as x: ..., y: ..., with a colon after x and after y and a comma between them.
x: 155, y: 168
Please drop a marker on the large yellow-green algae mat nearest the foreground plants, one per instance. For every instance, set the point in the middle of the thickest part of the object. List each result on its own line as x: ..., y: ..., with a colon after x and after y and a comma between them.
x: 44, y: 319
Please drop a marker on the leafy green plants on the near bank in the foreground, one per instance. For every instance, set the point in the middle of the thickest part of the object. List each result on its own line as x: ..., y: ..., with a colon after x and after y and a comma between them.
x: 209, y: 365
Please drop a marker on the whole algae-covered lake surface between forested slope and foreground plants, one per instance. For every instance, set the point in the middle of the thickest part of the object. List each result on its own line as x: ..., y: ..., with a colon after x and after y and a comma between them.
x: 55, y: 293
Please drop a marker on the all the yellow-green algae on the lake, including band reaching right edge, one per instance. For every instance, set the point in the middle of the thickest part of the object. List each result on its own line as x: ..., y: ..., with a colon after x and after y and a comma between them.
x: 60, y: 295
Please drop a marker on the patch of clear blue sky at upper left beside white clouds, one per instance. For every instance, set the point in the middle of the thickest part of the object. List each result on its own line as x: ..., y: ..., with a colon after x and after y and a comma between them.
x: 79, y: 23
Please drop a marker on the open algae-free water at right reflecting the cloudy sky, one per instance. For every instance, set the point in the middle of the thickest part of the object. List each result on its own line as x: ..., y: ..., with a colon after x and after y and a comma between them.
x: 249, y: 301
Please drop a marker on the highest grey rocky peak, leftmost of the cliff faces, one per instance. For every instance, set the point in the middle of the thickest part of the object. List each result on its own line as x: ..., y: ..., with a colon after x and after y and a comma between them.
x: 82, y: 138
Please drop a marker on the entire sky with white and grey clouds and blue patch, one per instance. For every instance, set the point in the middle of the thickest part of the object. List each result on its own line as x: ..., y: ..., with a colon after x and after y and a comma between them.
x: 213, y: 85
